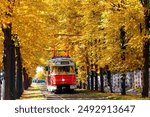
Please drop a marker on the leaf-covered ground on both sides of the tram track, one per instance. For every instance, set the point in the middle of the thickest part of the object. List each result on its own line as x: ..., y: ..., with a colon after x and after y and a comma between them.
x: 34, y: 93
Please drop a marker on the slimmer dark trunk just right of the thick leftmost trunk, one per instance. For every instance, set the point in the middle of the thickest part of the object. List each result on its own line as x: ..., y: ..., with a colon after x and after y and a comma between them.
x: 19, y: 81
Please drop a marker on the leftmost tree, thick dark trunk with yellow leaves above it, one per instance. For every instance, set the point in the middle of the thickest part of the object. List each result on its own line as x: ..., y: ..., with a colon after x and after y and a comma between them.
x: 9, y: 50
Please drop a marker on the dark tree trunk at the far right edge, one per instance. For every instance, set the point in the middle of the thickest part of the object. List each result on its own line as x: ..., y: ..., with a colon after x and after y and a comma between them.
x: 145, y: 91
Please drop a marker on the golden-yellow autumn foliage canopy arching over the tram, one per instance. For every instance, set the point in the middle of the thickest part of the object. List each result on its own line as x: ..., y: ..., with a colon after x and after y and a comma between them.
x: 89, y: 29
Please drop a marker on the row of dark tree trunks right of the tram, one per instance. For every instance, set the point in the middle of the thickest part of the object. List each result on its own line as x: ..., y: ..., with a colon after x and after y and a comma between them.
x: 146, y: 51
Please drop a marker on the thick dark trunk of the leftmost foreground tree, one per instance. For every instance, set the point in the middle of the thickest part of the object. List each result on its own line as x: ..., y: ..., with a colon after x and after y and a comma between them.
x: 9, y: 63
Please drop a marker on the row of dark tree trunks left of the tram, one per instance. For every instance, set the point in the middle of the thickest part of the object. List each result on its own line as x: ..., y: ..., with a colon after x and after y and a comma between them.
x: 12, y: 67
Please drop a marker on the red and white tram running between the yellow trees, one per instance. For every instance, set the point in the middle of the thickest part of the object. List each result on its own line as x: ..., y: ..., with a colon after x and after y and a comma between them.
x: 61, y: 74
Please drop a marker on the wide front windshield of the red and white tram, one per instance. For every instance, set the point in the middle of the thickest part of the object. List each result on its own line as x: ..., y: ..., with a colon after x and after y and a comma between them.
x: 62, y: 70
